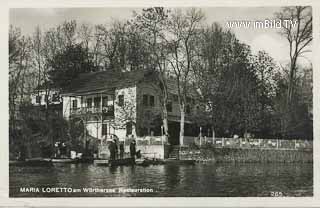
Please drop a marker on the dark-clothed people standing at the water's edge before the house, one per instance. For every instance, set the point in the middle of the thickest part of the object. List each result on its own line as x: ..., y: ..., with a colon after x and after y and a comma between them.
x: 115, y: 148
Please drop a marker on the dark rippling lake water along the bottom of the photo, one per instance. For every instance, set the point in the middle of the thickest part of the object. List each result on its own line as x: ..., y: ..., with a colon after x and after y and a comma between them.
x: 164, y: 180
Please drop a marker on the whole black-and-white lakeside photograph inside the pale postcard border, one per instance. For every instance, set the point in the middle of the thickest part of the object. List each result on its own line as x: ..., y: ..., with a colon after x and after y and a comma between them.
x: 160, y: 102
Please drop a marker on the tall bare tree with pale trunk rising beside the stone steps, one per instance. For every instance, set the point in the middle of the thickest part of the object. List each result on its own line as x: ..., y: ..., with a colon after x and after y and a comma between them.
x: 182, y: 29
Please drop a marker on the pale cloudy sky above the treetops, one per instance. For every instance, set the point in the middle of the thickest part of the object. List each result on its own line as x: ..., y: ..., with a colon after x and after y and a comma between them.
x: 267, y: 39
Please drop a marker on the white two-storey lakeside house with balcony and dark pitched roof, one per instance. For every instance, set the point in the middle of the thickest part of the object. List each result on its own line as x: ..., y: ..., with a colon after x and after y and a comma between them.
x: 125, y: 105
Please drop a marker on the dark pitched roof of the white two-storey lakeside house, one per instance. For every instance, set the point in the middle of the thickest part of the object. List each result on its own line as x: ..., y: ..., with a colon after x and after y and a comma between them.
x: 103, y: 81
